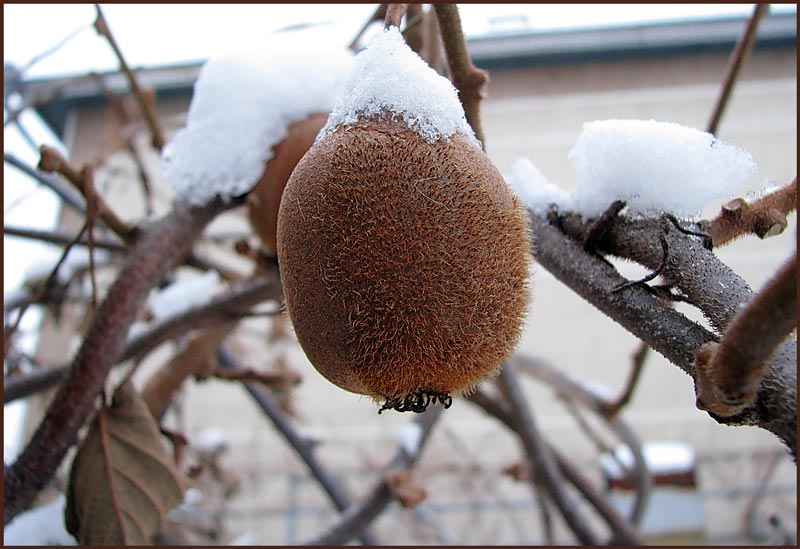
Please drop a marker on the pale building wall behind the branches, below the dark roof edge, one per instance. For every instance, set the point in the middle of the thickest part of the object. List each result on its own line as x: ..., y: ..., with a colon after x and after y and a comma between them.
x: 534, y: 112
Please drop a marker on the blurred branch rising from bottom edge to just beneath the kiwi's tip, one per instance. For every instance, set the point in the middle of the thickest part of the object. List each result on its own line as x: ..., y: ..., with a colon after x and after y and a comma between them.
x: 357, y: 517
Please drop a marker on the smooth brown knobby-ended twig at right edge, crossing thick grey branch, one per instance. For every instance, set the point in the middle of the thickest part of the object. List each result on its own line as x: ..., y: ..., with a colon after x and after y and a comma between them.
x: 731, y: 371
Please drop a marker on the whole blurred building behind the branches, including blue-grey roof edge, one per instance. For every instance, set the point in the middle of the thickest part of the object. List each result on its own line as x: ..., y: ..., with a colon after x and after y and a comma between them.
x: 543, y: 86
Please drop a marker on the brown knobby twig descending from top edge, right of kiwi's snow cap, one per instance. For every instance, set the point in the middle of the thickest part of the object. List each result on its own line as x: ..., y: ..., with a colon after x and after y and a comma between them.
x: 469, y: 80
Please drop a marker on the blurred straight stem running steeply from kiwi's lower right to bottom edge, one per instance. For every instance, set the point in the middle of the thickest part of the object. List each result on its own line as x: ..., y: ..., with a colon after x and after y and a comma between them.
x: 542, y: 463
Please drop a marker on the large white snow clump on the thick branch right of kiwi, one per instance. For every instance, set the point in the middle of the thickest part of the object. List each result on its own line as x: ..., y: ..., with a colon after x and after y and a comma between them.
x: 654, y: 166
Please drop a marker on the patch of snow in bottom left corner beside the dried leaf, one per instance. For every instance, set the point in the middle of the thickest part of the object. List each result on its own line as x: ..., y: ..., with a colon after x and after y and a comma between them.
x: 40, y: 526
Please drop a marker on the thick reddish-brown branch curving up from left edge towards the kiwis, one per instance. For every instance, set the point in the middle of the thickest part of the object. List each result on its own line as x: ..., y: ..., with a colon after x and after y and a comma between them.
x: 150, y: 259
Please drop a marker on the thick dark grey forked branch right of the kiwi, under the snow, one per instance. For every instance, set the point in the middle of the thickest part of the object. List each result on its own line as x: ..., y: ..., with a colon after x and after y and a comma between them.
x: 709, y: 284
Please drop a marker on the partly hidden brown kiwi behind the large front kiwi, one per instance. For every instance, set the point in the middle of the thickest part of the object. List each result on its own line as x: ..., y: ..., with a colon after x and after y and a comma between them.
x: 264, y: 200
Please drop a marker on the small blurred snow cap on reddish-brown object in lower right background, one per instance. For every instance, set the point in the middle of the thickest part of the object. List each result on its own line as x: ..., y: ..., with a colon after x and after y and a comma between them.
x: 661, y: 457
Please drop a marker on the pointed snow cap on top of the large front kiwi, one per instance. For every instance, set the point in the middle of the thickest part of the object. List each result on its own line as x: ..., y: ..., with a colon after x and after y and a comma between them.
x: 388, y: 77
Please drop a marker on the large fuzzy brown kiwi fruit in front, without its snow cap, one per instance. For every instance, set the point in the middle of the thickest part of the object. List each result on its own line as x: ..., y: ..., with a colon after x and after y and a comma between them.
x: 405, y: 264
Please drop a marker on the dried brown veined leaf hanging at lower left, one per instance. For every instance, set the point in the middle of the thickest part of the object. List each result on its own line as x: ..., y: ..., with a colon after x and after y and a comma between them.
x: 123, y: 481
